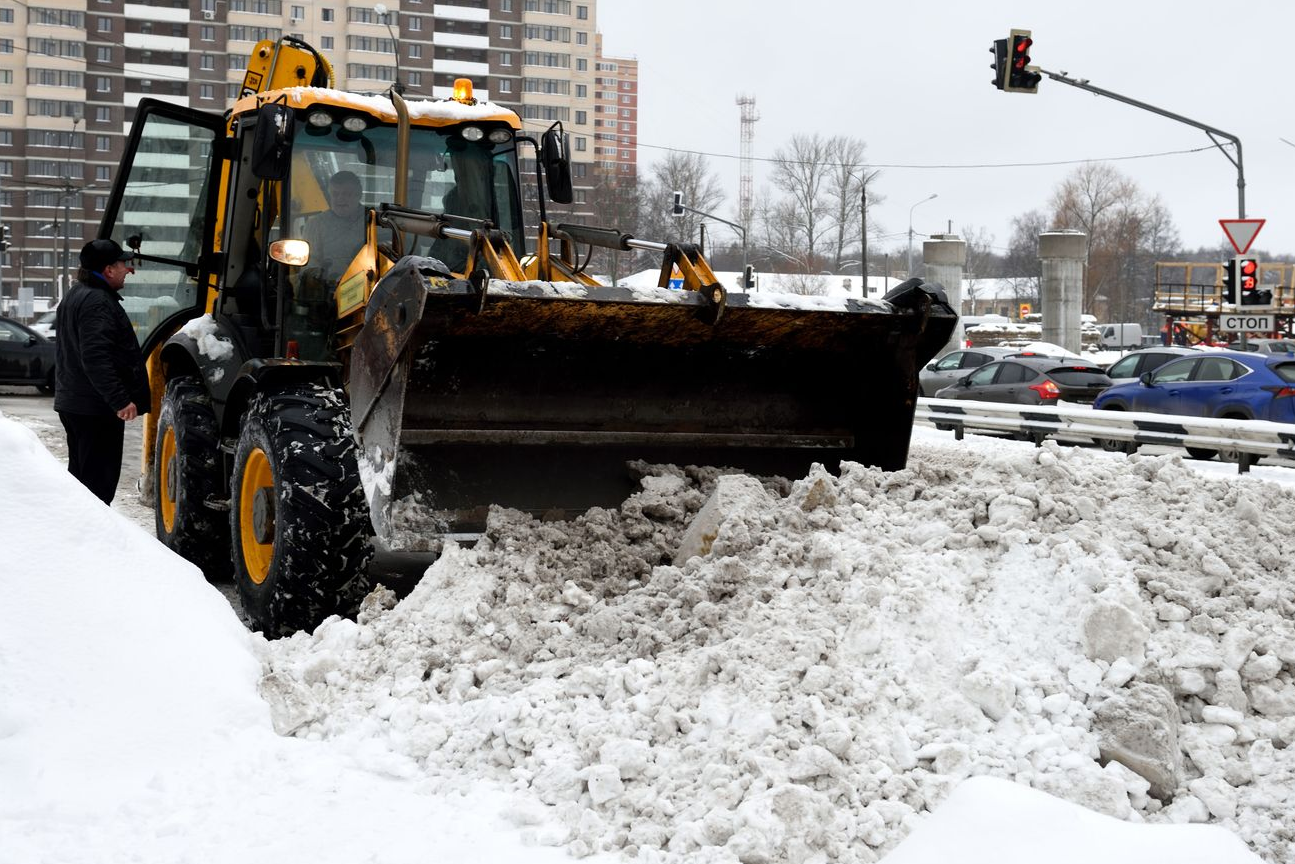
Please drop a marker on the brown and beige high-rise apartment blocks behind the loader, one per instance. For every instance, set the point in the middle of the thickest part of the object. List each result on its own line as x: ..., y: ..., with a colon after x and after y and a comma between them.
x: 72, y: 73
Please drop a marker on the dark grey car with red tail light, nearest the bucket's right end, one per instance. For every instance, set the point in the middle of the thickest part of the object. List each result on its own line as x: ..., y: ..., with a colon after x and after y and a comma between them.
x: 1031, y: 381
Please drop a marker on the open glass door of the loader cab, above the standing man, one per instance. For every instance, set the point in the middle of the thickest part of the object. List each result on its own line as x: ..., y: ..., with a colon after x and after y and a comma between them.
x: 164, y: 205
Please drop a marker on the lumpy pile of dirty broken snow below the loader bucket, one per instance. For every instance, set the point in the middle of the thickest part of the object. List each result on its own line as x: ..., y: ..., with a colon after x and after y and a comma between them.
x: 1114, y: 633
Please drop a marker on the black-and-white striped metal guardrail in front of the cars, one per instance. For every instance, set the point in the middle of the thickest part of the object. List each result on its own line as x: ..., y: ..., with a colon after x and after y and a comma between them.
x: 1246, y: 441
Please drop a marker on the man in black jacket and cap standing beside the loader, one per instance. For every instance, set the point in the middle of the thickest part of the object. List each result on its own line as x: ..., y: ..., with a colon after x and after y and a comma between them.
x: 100, y: 380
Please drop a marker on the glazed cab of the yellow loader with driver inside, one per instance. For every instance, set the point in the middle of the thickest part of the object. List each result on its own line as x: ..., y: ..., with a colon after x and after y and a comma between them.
x: 335, y: 172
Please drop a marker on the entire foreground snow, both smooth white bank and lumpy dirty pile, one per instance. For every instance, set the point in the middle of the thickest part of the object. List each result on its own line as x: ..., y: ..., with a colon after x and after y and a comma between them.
x: 941, y: 664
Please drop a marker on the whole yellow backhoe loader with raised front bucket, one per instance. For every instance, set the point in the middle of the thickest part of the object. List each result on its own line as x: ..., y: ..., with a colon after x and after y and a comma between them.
x: 330, y: 375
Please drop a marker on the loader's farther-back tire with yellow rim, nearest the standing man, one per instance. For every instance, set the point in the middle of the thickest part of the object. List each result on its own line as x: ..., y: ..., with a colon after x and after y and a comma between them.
x: 188, y: 497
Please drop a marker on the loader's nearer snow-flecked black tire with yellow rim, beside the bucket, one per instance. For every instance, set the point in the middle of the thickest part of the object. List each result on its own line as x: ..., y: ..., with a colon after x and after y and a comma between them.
x: 298, y: 517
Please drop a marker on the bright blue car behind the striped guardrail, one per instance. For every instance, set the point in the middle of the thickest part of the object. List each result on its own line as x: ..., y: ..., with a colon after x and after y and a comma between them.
x: 1228, y: 385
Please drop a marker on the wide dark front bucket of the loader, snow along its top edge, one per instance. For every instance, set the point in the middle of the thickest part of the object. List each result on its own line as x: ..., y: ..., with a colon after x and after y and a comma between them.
x: 537, y: 396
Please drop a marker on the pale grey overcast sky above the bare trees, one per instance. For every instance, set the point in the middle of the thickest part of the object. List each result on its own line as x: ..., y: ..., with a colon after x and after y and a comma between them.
x: 912, y: 81
